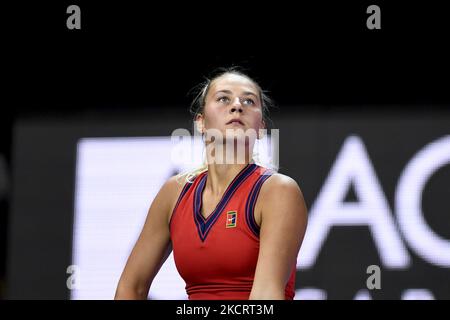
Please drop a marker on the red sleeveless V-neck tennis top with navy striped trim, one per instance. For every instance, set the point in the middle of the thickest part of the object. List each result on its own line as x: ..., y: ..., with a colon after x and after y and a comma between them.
x: 217, y: 256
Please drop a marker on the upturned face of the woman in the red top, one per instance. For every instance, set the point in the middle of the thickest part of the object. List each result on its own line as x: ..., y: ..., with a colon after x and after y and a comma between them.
x: 232, y: 102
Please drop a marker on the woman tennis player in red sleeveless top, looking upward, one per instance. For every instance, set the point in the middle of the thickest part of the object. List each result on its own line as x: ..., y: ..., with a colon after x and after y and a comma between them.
x: 235, y: 227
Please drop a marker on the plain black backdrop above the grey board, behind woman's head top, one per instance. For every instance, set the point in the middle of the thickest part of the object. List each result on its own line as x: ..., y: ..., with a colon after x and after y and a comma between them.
x: 142, y: 56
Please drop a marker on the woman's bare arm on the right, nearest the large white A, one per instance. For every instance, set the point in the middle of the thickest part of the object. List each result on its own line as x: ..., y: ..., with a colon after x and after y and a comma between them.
x: 283, y: 225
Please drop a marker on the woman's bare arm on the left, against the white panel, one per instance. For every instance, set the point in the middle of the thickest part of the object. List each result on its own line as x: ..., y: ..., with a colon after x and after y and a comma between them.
x: 153, y: 245
